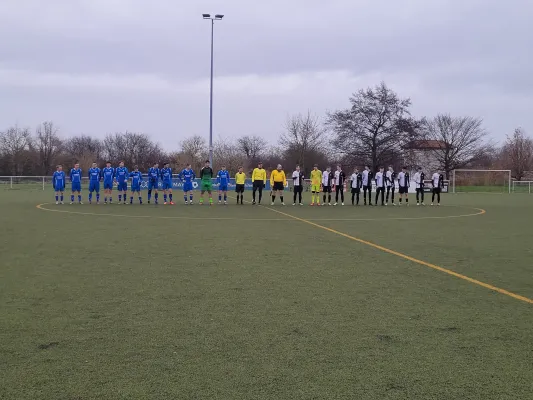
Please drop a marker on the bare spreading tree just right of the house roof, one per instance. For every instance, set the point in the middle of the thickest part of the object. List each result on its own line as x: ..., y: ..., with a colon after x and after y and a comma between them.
x: 461, y: 140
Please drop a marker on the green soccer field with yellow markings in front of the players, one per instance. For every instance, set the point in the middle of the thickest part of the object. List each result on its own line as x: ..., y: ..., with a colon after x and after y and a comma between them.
x: 248, y: 302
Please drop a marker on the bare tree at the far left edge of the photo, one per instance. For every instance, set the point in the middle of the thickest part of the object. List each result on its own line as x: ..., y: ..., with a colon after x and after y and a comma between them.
x: 15, y: 149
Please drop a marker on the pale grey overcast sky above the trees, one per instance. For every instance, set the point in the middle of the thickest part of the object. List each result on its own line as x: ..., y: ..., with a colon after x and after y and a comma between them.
x: 99, y: 66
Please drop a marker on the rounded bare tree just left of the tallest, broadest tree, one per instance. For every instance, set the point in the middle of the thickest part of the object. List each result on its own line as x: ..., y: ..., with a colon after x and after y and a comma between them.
x: 303, y: 136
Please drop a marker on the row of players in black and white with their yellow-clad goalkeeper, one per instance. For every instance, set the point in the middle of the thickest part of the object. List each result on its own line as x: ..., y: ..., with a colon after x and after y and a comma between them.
x: 327, y: 182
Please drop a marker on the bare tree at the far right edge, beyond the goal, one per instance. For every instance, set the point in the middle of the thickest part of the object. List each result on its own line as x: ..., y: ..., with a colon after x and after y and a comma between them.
x: 517, y: 153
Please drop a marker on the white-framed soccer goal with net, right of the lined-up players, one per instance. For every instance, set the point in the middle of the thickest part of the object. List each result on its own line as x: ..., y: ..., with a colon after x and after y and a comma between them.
x: 481, y: 181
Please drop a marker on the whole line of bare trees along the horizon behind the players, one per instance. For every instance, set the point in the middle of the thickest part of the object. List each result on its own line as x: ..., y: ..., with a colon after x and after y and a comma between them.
x: 376, y: 129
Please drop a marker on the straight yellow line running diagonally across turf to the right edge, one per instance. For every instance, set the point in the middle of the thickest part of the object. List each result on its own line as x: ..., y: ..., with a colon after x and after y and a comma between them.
x: 412, y: 259
